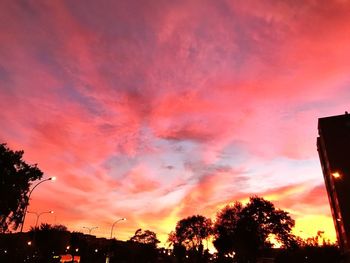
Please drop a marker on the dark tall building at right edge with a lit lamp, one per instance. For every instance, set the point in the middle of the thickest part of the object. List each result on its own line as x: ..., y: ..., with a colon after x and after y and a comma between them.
x: 333, y: 145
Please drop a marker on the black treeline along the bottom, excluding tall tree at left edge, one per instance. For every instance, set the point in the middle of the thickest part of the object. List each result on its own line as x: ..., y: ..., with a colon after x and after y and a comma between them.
x: 240, y: 233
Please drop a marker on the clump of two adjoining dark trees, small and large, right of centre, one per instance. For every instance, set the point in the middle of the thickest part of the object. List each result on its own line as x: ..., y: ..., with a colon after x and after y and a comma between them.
x: 242, y: 232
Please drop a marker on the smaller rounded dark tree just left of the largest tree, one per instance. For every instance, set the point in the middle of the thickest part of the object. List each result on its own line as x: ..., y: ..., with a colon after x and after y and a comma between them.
x: 190, y: 233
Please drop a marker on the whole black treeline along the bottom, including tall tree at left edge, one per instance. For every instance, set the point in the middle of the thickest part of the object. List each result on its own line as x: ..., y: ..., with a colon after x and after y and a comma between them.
x: 240, y: 233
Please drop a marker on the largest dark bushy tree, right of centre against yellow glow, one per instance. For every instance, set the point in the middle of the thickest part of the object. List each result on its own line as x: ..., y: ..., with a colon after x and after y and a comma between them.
x: 245, y: 230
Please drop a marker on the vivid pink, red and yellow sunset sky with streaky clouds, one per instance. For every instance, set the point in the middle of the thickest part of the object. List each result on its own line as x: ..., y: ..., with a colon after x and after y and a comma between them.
x: 159, y: 110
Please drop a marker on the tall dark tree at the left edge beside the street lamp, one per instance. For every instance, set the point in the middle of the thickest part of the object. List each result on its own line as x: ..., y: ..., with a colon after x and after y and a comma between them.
x: 15, y: 179
